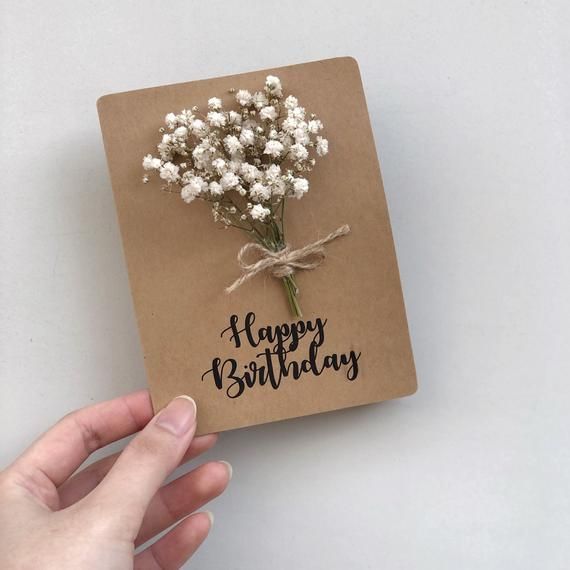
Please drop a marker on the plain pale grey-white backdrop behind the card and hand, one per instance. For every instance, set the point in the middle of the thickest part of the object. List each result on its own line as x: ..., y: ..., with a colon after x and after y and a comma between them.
x: 469, y: 102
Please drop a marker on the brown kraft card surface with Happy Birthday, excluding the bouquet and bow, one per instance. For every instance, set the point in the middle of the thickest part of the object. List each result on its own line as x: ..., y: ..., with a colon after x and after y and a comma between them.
x: 351, y: 346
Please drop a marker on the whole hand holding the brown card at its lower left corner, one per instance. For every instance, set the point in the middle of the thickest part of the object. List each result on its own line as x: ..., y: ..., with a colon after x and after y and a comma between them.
x: 52, y: 519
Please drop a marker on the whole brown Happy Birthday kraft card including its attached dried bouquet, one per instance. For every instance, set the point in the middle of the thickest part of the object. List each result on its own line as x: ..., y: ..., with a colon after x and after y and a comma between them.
x: 279, y: 168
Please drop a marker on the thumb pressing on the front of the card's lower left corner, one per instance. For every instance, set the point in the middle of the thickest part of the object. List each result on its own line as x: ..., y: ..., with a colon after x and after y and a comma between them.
x: 126, y: 491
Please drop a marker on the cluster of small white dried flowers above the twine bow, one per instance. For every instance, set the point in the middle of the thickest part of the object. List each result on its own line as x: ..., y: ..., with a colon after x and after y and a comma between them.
x: 244, y: 160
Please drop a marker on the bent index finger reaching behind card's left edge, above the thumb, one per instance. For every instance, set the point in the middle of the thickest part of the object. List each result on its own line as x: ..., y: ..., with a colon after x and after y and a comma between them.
x: 63, y: 448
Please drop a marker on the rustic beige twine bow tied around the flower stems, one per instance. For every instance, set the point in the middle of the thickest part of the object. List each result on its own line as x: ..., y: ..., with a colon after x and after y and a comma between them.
x: 285, y: 261
